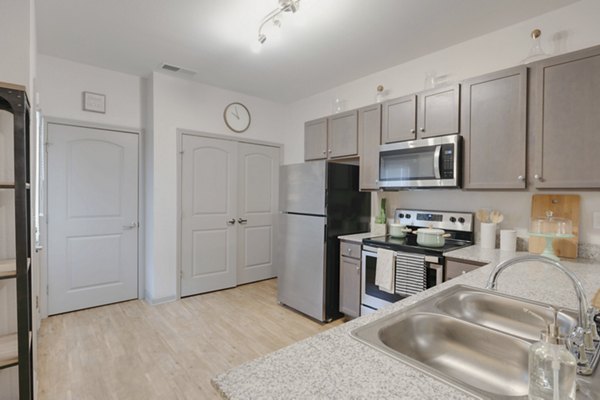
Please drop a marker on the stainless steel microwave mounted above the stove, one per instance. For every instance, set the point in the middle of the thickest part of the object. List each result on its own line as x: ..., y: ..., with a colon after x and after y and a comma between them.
x: 424, y: 163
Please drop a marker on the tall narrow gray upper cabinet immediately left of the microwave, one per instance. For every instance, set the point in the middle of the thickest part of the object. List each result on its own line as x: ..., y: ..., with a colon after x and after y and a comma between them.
x: 369, y: 134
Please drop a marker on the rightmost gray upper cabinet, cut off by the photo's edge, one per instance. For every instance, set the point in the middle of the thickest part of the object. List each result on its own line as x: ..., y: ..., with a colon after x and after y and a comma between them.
x: 566, y: 120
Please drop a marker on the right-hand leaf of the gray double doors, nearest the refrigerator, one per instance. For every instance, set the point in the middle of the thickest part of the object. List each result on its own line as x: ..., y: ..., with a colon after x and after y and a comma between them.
x: 258, y: 196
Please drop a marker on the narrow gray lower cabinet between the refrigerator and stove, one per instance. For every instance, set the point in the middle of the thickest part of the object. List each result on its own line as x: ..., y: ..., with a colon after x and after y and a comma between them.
x: 350, y: 279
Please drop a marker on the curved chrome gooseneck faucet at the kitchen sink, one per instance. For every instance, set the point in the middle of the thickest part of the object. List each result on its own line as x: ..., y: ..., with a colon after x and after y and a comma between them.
x: 583, y: 341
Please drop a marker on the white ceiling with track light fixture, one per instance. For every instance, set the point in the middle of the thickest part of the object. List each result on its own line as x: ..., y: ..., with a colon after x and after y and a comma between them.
x: 325, y: 44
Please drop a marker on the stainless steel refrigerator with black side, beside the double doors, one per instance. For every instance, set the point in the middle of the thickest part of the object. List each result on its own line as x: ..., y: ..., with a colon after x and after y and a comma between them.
x: 319, y: 201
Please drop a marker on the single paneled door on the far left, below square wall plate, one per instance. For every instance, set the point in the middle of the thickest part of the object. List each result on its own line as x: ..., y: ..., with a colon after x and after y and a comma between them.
x: 92, y: 217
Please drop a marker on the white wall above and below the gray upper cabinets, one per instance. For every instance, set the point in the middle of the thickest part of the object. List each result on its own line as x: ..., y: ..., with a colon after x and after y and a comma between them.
x: 567, y: 29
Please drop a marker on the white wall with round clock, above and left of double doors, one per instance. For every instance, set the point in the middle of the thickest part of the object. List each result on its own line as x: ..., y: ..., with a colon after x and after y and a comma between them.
x: 183, y: 104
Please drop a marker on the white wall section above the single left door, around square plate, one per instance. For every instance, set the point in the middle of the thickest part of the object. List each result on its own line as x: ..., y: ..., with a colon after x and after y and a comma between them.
x: 60, y: 84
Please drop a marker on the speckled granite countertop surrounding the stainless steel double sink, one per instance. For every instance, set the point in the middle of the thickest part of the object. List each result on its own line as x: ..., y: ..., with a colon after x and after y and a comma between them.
x: 333, y: 365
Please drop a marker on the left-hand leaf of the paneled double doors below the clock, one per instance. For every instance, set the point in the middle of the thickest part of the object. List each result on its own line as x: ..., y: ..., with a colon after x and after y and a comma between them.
x: 209, y: 213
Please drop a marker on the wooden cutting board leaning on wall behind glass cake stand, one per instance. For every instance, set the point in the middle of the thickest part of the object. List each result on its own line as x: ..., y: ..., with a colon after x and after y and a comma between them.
x: 563, y: 206
